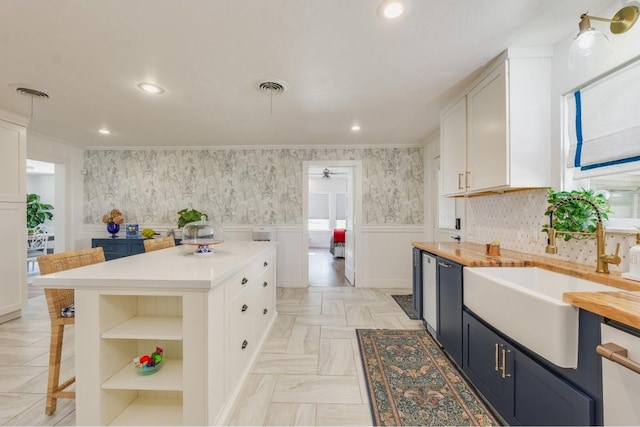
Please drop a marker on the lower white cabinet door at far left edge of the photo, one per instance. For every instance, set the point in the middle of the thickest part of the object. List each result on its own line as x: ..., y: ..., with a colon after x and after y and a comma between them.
x: 13, y: 260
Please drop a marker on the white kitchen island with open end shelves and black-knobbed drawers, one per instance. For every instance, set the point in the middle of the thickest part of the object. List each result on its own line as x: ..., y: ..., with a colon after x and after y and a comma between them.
x: 210, y: 314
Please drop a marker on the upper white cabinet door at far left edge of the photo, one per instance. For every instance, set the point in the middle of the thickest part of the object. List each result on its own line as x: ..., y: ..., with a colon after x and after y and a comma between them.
x: 12, y: 162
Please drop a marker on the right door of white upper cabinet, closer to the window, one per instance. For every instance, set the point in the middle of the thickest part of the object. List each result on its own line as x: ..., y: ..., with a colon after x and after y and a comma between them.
x: 487, y: 146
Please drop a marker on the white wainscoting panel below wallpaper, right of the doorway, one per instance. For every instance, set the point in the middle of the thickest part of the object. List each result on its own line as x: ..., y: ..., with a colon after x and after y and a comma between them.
x: 387, y: 256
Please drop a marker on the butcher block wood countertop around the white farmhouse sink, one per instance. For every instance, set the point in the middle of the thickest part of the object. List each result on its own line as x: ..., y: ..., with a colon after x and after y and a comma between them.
x: 622, y: 305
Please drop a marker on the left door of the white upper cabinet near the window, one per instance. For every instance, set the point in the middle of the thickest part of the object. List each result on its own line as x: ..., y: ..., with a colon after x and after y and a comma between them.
x: 453, y: 140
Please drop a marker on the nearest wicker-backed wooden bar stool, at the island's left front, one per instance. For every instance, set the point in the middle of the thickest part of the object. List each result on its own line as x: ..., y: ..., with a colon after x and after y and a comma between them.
x: 57, y: 300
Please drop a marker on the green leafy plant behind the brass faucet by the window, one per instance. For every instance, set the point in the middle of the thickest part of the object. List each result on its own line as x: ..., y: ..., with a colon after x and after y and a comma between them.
x: 576, y: 216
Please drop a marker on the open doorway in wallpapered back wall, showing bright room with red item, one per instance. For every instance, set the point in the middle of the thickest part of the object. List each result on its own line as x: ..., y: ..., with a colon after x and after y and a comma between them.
x: 330, y: 224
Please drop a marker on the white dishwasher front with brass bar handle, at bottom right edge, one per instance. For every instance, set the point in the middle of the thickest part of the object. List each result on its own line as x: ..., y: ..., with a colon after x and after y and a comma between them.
x: 620, y: 351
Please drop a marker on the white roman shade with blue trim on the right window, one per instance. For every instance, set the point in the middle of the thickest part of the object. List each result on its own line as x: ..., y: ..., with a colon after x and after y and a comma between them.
x: 603, y: 124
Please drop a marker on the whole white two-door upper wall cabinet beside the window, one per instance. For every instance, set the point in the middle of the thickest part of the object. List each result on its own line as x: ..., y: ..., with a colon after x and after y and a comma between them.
x: 496, y: 137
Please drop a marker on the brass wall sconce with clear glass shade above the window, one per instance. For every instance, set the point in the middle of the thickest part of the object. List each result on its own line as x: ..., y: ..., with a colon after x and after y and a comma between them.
x: 591, y: 47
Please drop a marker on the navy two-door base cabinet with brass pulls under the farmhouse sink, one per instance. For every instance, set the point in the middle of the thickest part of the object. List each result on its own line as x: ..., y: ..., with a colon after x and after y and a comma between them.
x: 522, y: 390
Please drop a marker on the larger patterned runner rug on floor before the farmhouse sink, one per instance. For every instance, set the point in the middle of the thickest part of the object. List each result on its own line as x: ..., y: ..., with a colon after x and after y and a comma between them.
x: 411, y: 382
